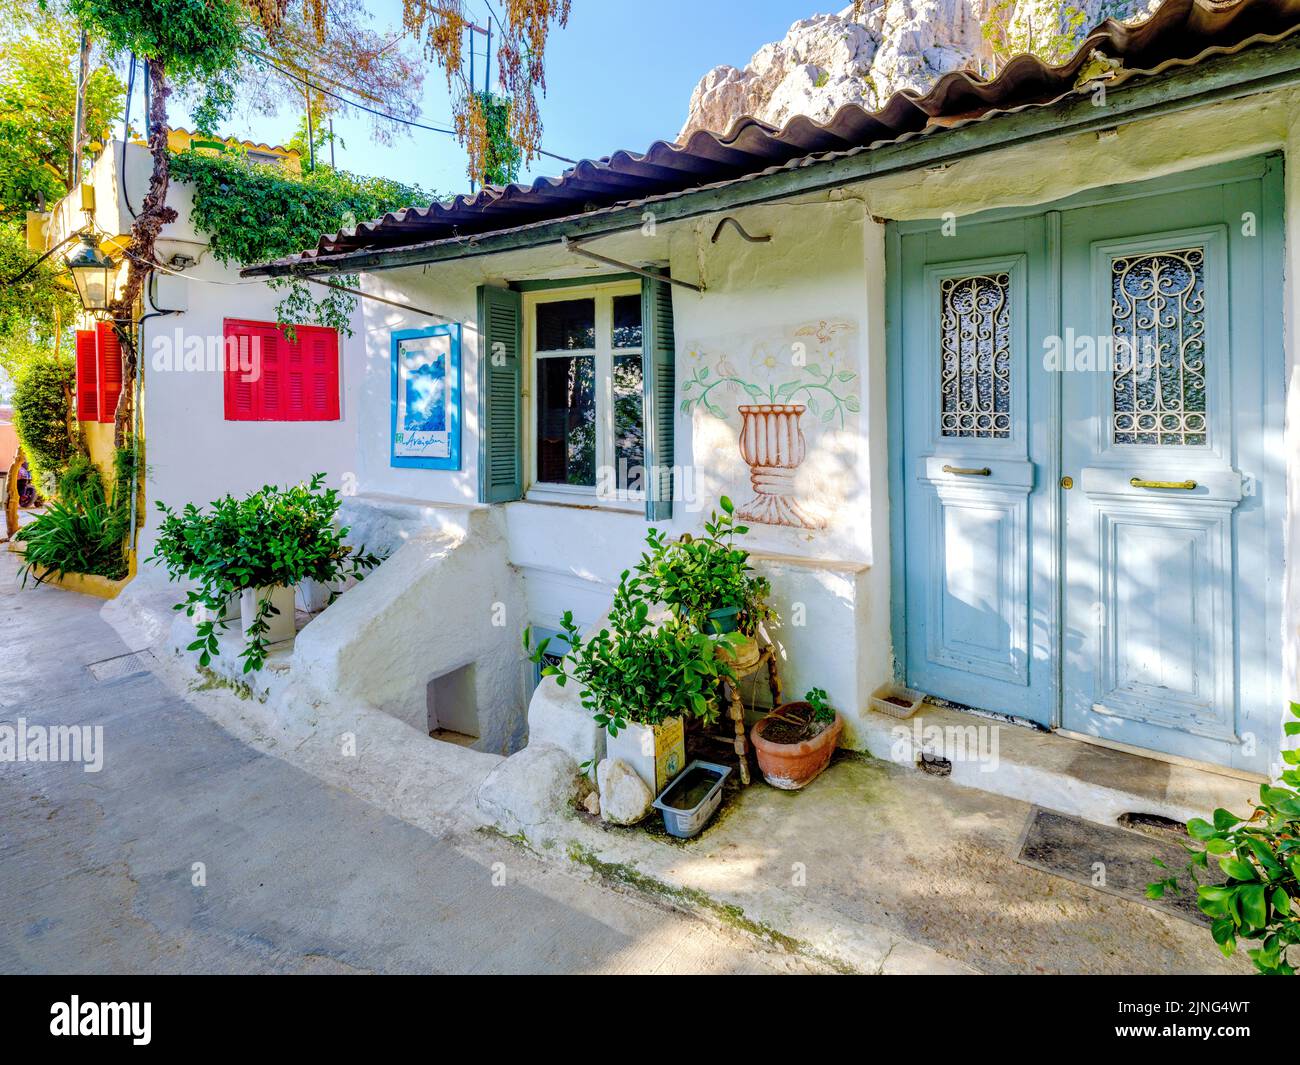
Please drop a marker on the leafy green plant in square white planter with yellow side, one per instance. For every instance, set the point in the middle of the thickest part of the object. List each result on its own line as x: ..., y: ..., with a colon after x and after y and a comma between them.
x: 640, y: 677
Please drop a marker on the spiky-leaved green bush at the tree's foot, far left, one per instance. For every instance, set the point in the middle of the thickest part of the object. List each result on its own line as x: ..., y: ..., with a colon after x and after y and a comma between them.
x: 81, y: 532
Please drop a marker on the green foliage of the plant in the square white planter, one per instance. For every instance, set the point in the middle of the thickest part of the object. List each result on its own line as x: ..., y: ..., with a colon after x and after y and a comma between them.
x: 636, y: 670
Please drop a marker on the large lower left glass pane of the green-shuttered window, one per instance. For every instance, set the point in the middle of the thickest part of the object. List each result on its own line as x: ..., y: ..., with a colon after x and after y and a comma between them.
x: 566, y: 421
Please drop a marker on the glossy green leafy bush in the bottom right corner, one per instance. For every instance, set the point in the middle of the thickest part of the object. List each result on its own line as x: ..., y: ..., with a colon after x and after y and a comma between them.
x: 1260, y: 855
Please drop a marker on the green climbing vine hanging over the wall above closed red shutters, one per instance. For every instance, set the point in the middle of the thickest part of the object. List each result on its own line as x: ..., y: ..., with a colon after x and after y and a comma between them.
x: 257, y: 213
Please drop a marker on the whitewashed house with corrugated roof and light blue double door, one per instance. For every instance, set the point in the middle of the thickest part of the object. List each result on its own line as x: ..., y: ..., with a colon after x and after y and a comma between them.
x: 887, y: 340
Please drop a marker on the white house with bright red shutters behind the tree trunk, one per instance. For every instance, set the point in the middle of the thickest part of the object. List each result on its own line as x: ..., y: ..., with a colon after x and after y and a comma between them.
x: 211, y: 426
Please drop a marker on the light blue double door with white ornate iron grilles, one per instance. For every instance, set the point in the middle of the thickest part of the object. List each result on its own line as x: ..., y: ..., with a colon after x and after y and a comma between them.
x: 1087, y: 464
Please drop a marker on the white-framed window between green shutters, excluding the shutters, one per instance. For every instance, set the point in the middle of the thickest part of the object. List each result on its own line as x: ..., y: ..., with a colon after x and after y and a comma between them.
x: 588, y: 419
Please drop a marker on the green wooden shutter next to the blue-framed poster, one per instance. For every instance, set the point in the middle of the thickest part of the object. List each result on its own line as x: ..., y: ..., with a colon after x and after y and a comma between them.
x: 501, y: 452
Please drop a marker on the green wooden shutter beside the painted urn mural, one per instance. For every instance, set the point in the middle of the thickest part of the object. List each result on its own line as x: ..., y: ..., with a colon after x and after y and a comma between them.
x: 661, y: 409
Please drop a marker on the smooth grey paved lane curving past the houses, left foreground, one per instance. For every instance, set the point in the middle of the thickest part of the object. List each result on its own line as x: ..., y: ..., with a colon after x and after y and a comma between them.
x: 302, y: 877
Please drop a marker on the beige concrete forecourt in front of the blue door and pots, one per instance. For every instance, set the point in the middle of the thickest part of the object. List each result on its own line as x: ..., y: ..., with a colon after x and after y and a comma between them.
x: 931, y: 863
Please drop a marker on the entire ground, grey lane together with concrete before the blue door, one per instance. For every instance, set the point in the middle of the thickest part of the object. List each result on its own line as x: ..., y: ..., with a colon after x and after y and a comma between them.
x: 374, y: 864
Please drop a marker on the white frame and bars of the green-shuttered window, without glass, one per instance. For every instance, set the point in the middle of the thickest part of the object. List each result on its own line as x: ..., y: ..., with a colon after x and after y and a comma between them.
x: 605, y: 353
